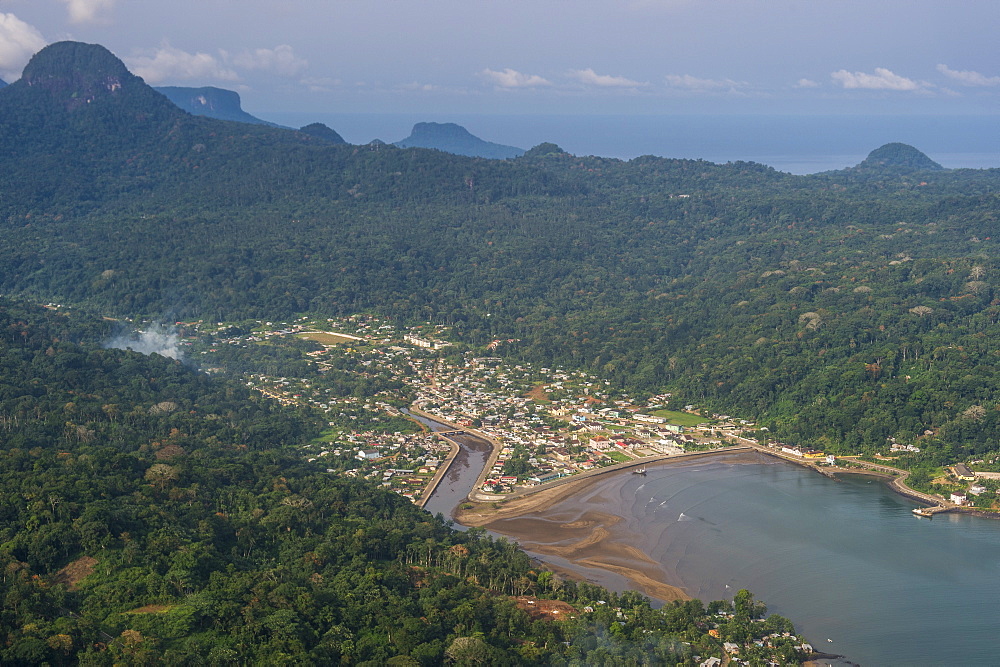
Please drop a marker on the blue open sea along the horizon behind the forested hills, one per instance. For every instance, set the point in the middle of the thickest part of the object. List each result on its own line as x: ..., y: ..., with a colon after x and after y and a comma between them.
x: 798, y: 144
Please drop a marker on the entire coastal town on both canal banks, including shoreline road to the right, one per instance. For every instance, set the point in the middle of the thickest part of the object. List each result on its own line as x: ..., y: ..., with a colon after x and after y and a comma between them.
x: 545, y: 424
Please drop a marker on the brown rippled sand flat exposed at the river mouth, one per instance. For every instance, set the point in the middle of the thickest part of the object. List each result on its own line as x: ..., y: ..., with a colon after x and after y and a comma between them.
x: 582, y: 523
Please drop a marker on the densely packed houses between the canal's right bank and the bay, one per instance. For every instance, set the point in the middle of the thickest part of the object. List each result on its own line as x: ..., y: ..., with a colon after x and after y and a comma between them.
x: 504, y: 404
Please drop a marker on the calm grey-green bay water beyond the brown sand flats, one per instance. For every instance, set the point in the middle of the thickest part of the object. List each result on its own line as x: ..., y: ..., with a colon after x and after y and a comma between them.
x: 846, y: 561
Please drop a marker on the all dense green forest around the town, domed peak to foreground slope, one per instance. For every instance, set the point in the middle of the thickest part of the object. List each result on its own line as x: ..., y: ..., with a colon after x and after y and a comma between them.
x: 838, y: 310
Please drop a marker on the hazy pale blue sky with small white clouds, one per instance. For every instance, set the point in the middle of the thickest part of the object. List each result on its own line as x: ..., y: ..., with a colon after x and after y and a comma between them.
x: 543, y: 56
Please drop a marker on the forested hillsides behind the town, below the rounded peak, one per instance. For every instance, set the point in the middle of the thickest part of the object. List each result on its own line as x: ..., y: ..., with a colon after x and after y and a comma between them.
x: 841, y: 308
